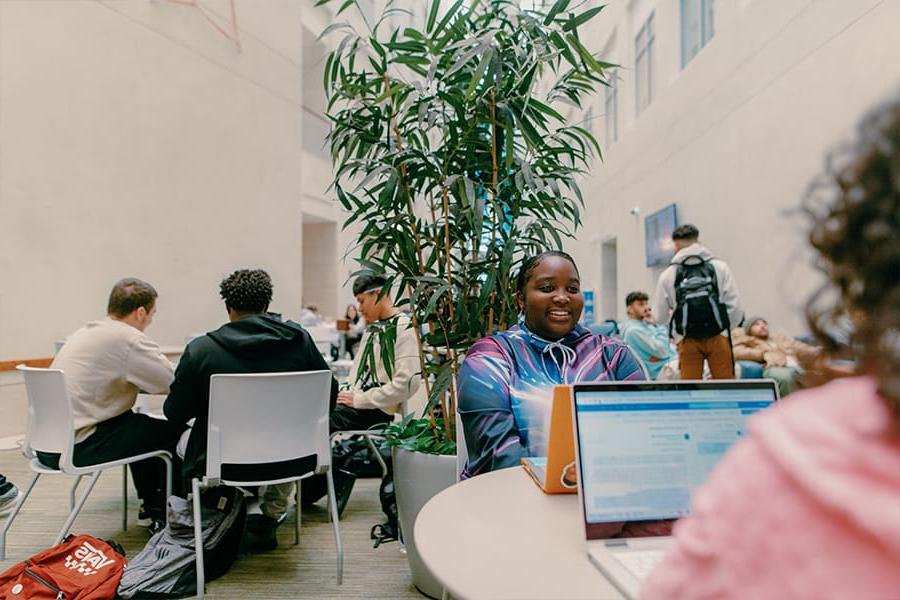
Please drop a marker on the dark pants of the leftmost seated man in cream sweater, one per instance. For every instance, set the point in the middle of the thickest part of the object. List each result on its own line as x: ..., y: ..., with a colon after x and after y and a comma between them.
x: 126, y: 435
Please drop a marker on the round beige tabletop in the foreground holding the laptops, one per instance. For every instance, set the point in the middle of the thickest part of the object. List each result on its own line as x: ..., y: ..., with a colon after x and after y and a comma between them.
x: 498, y: 536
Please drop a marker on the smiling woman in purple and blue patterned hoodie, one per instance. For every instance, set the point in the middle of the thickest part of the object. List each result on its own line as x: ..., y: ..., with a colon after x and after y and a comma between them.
x: 507, y: 379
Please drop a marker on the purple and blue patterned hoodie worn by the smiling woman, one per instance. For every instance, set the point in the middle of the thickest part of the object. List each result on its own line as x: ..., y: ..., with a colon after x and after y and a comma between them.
x: 506, y: 387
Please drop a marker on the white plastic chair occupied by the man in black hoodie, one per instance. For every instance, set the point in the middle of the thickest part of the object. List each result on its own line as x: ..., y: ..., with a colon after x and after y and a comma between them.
x: 264, y: 429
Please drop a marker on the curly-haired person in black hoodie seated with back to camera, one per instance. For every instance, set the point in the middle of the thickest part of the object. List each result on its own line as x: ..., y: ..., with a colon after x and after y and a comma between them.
x: 253, y: 341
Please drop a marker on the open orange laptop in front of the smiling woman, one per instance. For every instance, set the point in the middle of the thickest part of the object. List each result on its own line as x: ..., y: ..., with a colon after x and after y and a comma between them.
x: 549, y: 472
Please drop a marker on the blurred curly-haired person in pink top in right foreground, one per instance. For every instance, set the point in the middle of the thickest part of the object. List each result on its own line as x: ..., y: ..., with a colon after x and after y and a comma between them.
x: 808, y: 504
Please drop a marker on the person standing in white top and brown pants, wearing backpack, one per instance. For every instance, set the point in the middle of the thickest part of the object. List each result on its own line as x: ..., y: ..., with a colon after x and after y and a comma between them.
x: 698, y: 297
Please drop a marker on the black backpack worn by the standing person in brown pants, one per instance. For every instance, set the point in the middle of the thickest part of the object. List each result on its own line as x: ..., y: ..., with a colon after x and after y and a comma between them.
x: 698, y: 312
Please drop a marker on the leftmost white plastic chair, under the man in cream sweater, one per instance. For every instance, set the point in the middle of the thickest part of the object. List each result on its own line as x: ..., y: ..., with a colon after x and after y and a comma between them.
x: 51, y: 429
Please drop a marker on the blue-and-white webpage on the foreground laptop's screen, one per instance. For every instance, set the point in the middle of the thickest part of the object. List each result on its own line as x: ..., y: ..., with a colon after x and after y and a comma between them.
x: 644, y: 452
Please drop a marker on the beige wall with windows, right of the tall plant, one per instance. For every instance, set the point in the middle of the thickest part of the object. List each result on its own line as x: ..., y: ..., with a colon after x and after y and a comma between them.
x: 735, y: 136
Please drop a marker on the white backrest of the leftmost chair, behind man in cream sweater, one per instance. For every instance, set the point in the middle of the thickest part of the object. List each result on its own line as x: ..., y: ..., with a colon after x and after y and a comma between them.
x: 50, y: 423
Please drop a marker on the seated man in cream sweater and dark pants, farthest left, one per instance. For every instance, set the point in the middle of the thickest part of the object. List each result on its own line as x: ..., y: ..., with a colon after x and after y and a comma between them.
x: 106, y: 363
